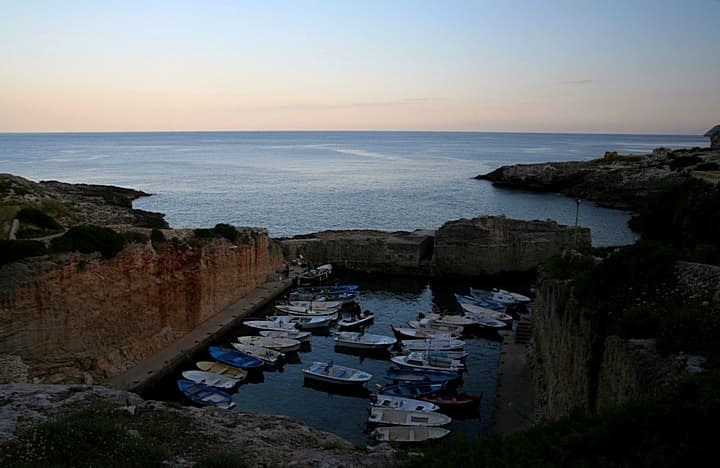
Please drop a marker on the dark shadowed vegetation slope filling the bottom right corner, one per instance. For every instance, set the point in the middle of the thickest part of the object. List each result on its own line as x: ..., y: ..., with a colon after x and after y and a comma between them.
x: 675, y: 430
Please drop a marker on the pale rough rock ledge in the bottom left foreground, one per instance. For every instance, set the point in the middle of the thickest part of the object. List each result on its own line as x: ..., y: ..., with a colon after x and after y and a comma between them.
x: 255, y: 439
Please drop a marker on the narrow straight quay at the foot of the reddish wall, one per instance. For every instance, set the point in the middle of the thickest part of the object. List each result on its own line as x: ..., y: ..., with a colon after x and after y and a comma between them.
x: 151, y: 370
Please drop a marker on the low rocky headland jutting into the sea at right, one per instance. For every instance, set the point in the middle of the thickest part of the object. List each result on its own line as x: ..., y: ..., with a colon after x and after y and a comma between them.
x: 614, y: 181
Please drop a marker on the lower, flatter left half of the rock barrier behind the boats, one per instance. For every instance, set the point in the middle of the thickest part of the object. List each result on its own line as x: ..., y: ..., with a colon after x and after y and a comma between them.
x: 366, y: 250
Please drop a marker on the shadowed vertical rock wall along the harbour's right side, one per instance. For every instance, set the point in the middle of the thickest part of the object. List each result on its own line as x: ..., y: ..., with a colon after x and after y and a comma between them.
x: 578, y: 365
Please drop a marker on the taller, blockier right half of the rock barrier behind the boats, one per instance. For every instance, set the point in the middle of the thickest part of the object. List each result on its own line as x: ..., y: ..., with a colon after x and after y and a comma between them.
x: 490, y: 245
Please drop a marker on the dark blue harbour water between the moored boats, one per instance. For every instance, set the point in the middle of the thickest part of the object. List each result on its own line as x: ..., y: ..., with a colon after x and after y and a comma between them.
x: 394, y: 301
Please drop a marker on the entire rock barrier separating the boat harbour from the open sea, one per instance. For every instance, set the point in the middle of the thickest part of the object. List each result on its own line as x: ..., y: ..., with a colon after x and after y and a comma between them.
x: 482, y: 246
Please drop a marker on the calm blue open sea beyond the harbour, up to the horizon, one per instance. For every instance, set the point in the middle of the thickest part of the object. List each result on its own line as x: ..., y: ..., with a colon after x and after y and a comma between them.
x: 301, y: 182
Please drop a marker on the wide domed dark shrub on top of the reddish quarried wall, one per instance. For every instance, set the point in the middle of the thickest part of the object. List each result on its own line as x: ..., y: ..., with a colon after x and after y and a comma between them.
x: 89, y: 238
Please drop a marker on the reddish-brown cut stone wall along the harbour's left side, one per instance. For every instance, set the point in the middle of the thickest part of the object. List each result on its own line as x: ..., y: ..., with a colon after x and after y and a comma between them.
x: 80, y: 318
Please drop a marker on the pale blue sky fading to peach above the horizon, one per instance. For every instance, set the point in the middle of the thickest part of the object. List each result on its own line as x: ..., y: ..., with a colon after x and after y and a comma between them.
x: 598, y: 66
